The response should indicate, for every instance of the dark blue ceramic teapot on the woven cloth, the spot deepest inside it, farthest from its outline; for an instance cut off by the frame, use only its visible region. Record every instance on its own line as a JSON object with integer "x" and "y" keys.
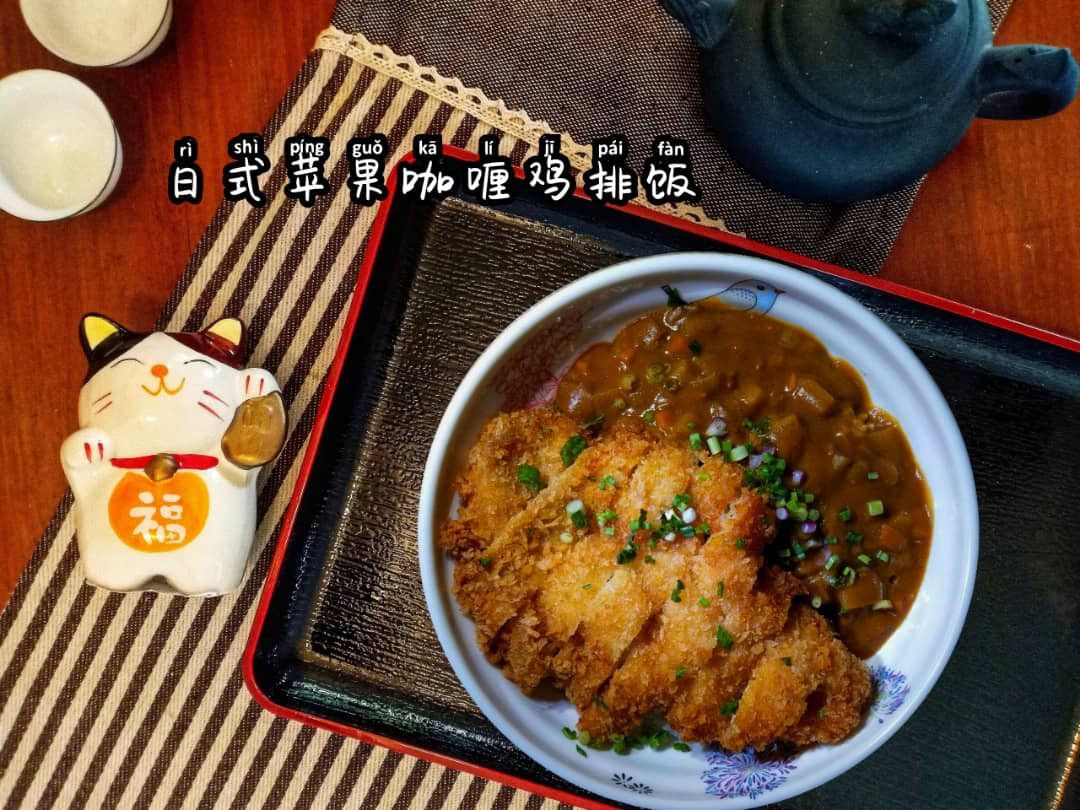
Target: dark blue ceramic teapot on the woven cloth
{"x": 845, "y": 100}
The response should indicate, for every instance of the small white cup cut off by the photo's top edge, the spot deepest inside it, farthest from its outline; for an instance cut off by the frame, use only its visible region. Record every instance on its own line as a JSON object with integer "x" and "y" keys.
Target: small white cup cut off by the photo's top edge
{"x": 100, "y": 33}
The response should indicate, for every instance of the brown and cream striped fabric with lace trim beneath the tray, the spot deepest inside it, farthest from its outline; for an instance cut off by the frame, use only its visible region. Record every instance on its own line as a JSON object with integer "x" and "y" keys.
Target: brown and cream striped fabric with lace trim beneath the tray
{"x": 137, "y": 700}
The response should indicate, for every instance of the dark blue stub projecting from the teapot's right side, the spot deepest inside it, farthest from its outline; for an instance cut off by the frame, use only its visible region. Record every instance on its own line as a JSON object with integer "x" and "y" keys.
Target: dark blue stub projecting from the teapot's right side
{"x": 1025, "y": 82}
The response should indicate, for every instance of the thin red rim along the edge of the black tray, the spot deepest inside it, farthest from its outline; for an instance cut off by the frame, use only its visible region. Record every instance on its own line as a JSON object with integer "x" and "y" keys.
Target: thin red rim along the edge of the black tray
{"x": 332, "y": 381}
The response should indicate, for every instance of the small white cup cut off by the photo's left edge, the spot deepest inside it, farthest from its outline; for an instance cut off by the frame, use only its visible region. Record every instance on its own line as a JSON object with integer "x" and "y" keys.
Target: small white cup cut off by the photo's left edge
{"x": 60, "y": 152}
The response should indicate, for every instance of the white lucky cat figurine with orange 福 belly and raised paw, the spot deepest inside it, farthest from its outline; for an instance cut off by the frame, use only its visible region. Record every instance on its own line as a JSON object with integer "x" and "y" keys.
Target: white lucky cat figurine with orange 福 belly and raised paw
{"x": 164, "y": 468}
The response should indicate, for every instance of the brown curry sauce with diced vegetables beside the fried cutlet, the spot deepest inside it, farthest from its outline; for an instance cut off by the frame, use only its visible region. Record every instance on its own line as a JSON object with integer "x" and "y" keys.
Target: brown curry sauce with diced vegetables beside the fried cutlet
{"x": 853, "y": 514}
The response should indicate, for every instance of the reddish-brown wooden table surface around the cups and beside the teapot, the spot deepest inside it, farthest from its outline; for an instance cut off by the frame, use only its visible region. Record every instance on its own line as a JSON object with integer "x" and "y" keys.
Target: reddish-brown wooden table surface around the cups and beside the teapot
{"x": 993, "y": 227}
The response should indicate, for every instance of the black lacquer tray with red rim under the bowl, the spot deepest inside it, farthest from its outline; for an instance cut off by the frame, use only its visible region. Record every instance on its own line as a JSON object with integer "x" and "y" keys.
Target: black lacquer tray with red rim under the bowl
{"x": 343, "y": 638}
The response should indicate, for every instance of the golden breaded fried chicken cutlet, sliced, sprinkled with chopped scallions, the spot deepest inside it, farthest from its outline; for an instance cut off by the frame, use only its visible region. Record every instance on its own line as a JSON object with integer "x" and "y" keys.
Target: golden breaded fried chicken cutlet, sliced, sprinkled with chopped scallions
{"x": 654, "y": 598}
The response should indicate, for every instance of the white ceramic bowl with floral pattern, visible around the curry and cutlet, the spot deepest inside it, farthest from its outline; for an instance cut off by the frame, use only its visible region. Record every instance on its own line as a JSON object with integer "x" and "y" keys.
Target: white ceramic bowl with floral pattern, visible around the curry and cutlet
{"x": 906, "y": 669}
